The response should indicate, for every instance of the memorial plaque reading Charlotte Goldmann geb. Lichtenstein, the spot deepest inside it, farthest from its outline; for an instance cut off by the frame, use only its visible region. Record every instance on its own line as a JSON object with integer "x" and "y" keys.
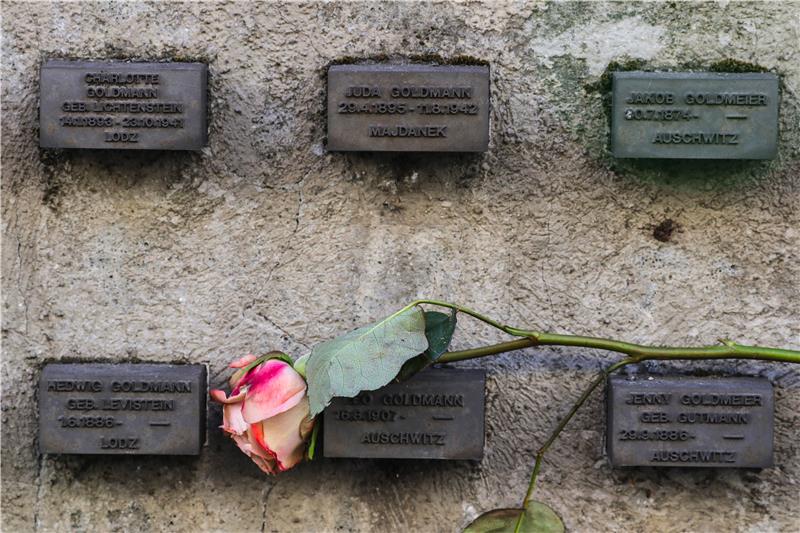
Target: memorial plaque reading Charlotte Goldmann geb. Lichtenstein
{"x": 117, "y": 104}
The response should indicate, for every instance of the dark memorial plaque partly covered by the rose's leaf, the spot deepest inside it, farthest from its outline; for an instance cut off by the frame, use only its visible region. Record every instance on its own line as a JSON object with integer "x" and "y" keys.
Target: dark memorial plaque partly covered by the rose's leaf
{"x": 437, "y": 414}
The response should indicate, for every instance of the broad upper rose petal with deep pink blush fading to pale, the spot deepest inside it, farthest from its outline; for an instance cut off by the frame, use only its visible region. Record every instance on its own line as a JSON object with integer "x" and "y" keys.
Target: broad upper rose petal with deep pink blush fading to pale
{"x": 272, "y": 388}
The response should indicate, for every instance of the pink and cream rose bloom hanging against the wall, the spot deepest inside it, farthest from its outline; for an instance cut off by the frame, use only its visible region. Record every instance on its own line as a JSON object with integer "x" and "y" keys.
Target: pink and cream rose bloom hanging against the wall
{"x": 267, "y": 413}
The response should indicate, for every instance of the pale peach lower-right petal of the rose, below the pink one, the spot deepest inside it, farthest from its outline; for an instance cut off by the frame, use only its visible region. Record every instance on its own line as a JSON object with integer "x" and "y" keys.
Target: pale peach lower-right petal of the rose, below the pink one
{"x": 282, "y": 435}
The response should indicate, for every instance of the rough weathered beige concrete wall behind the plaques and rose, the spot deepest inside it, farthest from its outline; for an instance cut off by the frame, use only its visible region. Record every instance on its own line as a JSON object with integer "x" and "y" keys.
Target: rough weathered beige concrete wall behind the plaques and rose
{"x": 265, "y": 241}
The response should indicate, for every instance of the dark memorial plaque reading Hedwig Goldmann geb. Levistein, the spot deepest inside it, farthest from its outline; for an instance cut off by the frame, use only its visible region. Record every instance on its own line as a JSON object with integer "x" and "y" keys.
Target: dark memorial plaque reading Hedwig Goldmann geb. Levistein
{"x": 122, "y": 409}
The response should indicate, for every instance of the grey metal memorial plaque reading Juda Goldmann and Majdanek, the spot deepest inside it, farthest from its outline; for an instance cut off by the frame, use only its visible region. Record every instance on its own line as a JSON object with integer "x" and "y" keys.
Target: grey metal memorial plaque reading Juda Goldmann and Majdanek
{"x": 408, "y": 108}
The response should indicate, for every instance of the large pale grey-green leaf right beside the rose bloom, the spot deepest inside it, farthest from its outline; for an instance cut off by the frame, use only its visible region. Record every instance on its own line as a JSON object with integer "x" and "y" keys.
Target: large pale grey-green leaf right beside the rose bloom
{"x": 364, "y": 359}
